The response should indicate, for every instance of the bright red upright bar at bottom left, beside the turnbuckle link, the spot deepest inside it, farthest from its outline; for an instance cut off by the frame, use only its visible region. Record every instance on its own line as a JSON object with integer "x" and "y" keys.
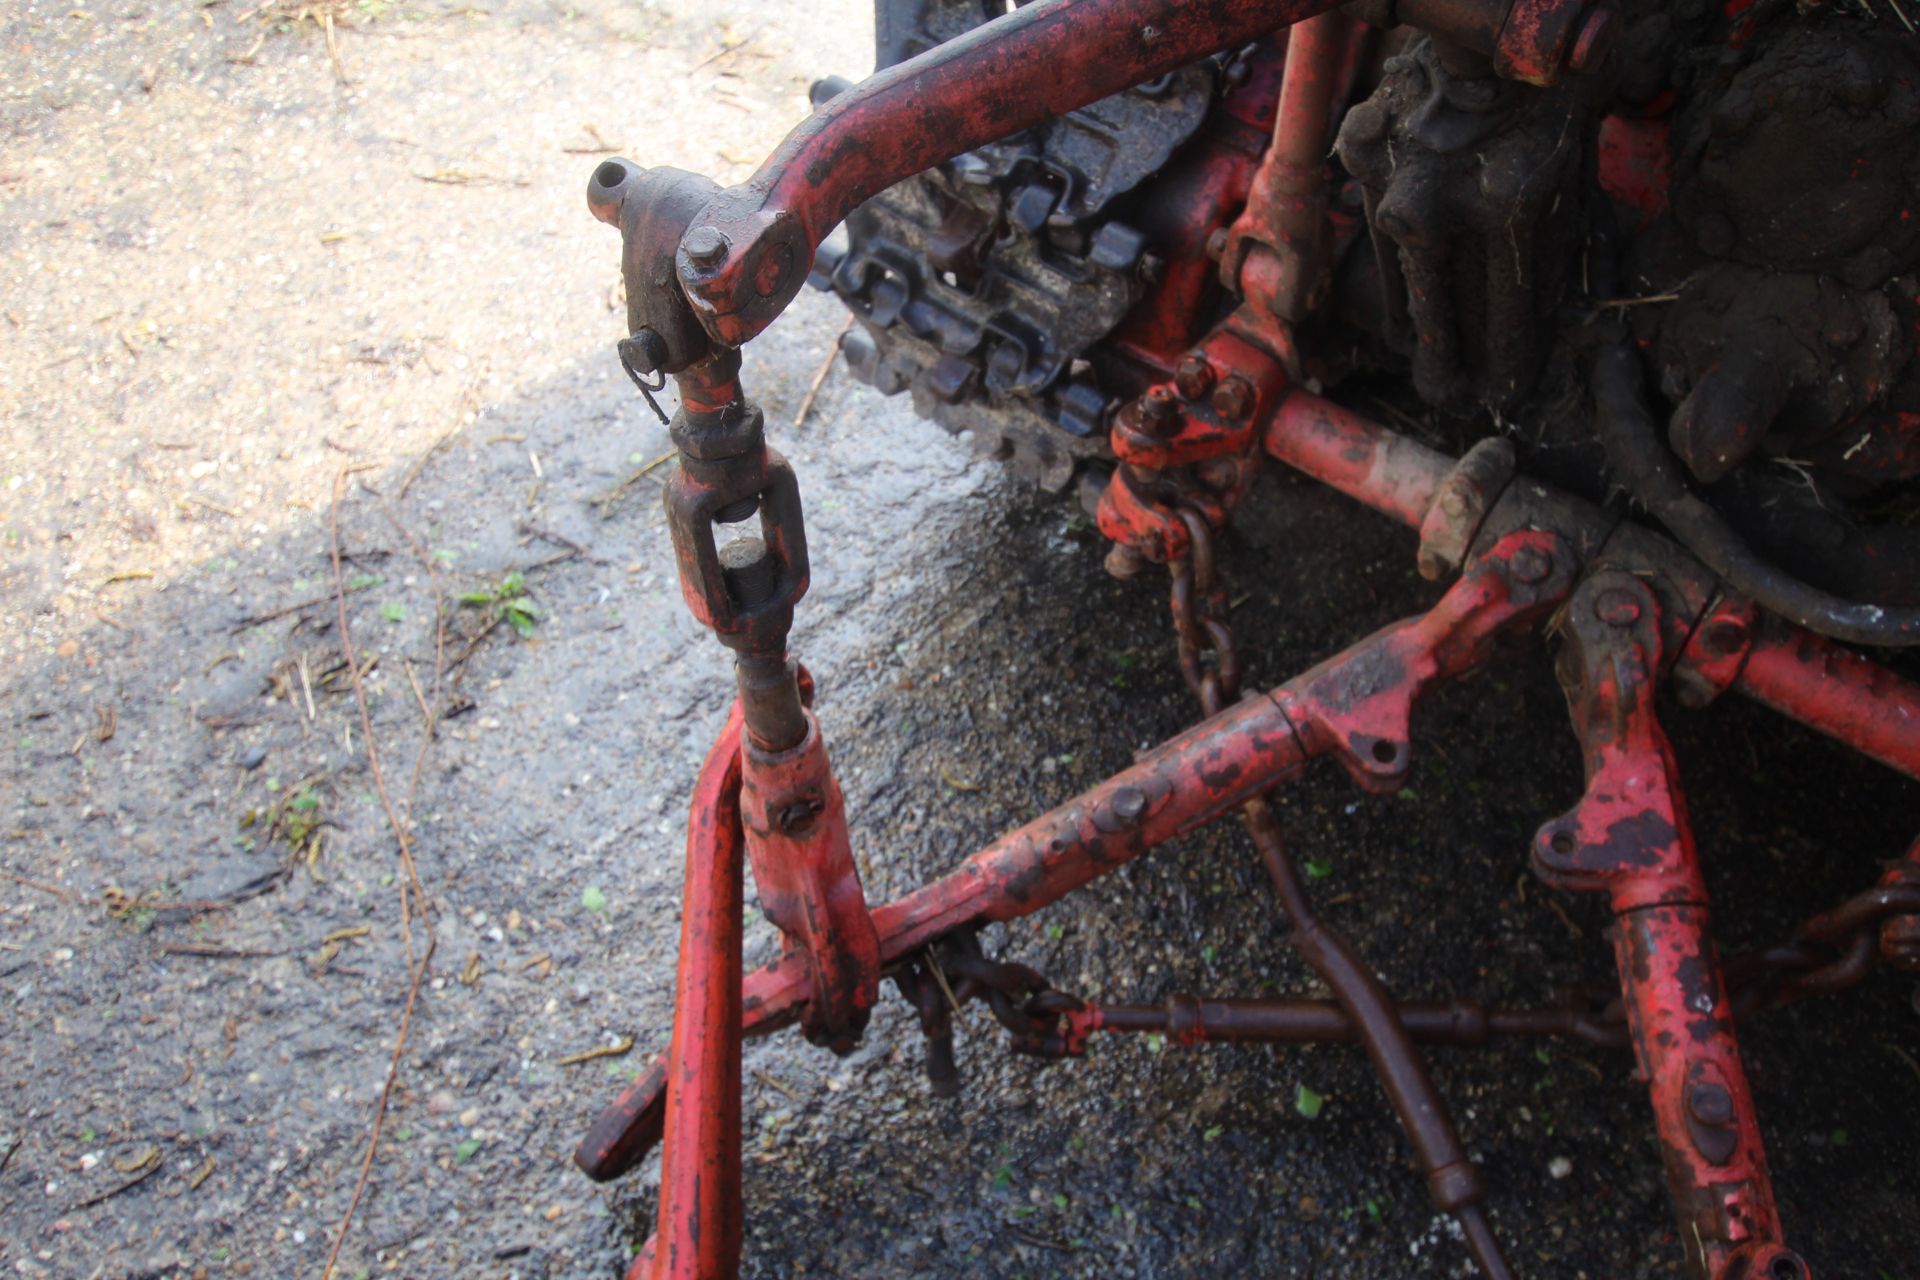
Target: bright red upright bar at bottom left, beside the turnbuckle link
{"x": 700, "y": 1227}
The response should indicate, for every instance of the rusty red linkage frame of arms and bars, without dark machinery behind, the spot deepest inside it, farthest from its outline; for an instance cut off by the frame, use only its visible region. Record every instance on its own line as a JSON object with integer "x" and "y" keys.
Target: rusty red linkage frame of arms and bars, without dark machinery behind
{"x": 711, "y": 268}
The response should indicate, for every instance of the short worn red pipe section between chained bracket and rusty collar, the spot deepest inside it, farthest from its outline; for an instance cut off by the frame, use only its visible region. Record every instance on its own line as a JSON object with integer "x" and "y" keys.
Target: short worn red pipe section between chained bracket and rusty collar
{"x": 1364, "y": 460}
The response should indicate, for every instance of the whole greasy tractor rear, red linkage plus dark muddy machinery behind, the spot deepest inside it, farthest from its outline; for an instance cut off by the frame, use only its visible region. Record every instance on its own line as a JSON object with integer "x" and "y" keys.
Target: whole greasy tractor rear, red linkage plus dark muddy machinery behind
{"x": 1654, "y": 258}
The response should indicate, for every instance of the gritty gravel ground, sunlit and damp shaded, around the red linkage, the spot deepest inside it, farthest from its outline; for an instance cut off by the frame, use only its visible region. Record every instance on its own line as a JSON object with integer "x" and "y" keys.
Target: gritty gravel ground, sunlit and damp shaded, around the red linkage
{"x": 237, "y": 268}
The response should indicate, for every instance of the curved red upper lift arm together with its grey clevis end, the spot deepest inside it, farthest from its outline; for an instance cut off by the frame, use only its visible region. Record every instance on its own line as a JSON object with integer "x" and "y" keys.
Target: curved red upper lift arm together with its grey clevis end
{"x": 742, "y": 254}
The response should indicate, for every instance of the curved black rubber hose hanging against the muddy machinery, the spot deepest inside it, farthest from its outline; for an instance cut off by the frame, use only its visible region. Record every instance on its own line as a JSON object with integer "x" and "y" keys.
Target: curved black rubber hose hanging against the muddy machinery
{"x": 1643, "y": 463}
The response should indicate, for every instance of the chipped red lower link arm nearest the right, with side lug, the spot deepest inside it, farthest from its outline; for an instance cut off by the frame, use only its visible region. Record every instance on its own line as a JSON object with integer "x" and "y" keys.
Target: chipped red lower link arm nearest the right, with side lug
{"x": 1629, "y": 836}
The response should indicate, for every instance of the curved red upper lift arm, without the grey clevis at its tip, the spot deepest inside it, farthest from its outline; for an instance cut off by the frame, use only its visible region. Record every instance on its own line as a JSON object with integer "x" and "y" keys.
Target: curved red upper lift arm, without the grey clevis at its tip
{"x": 1017, "y": 72}
